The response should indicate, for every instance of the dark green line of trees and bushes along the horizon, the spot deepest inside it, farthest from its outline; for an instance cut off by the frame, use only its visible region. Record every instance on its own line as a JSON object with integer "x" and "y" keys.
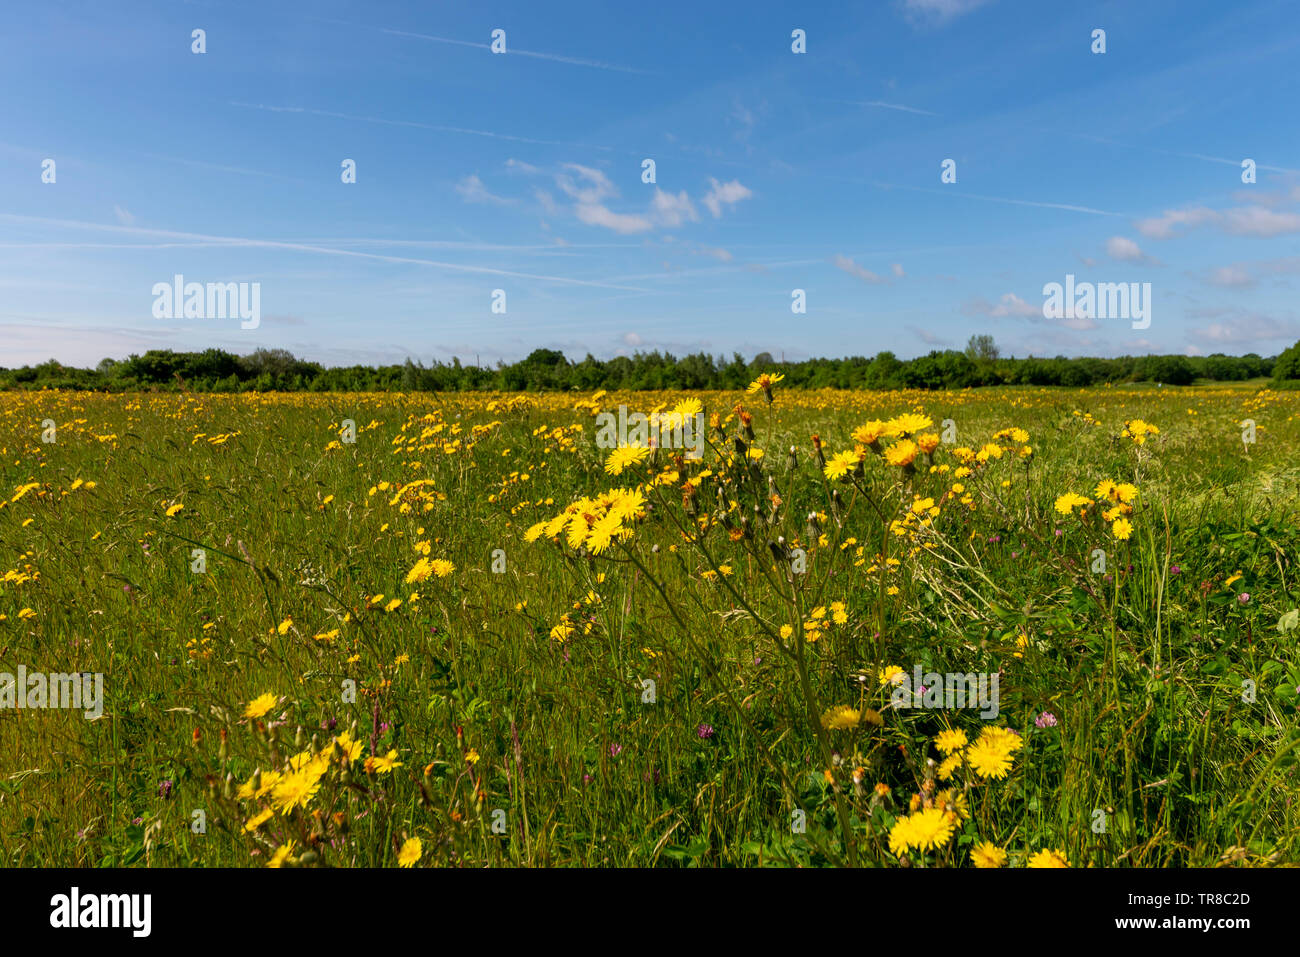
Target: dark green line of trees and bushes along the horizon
{"x": 545, "y": 370}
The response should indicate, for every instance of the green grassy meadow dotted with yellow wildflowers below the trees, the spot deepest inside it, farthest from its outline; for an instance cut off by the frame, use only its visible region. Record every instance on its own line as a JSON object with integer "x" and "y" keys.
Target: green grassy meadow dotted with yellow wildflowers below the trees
{"x": 430, "y": 630}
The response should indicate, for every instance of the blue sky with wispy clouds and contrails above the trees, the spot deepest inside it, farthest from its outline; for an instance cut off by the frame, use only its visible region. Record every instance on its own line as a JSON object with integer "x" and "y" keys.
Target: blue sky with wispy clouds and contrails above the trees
{"x": 775, "y": 171}
